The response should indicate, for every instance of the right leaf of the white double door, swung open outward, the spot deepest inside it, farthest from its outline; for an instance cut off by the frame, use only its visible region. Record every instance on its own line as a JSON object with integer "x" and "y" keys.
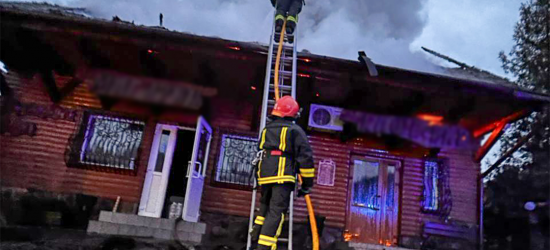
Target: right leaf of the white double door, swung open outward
{"x": 196, "y": 171}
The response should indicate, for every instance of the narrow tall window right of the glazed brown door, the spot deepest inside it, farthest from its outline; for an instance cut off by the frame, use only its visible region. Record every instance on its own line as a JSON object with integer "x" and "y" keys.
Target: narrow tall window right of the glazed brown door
{"x": 431, "y": 185}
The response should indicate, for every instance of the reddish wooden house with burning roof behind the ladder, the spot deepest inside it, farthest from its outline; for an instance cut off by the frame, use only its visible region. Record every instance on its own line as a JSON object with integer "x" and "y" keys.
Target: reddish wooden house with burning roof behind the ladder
{"x": 109, "y": 110}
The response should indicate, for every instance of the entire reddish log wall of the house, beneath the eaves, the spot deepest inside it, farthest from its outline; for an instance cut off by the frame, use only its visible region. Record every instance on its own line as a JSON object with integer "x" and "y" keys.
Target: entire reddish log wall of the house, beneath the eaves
{"x": 38, "y": 162}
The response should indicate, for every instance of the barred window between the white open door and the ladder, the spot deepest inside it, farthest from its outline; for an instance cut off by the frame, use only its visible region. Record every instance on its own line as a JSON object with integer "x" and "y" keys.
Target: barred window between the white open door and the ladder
{"x": 234, "y": 162}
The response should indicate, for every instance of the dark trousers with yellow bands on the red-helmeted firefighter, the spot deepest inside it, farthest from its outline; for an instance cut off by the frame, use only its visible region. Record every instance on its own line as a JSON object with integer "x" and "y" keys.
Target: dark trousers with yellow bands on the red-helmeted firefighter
{"x": 273, "y": 207}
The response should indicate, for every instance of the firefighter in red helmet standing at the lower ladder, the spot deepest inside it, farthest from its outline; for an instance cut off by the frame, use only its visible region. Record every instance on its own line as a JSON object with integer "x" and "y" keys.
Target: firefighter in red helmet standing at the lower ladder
{"x": 285, "y": 147}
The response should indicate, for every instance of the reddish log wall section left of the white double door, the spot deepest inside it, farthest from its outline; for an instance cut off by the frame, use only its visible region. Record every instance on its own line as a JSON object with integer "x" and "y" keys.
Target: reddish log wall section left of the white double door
{"x": 39, "y": 161}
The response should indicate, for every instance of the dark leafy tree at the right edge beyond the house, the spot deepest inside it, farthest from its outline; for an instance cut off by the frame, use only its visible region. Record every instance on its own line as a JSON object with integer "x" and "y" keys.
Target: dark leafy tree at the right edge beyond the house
{"x": 526, "y": 177}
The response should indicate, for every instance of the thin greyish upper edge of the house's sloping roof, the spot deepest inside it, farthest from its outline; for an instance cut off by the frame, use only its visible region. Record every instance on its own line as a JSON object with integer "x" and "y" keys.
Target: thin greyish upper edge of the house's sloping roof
{"x": 468, "y": 76}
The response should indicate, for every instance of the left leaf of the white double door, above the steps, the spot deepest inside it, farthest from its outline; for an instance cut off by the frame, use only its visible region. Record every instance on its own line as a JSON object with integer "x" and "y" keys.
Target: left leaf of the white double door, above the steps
{"x": 158, "y": 171}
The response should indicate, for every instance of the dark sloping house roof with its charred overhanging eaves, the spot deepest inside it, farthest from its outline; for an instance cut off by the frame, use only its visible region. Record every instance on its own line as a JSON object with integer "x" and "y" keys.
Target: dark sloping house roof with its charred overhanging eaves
{"x": 75, "y": 38}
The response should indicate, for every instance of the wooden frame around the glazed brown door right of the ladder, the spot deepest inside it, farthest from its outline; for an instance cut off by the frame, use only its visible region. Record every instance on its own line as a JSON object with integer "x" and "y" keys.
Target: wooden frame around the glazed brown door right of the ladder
{"x": 399, "y": 176}
